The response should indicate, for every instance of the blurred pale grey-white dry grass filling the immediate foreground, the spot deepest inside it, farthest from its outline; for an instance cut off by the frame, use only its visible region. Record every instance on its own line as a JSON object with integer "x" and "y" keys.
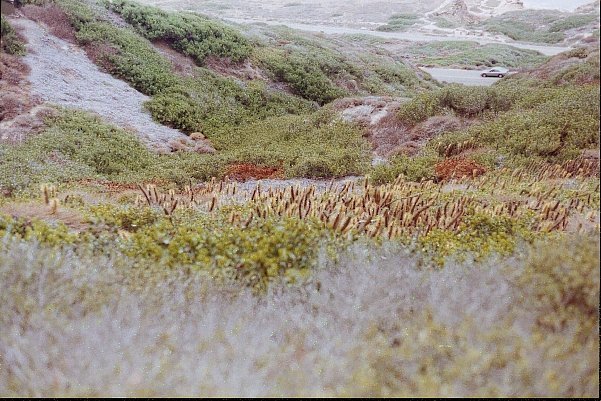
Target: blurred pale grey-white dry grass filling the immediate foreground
{"x": 75, "y": 324}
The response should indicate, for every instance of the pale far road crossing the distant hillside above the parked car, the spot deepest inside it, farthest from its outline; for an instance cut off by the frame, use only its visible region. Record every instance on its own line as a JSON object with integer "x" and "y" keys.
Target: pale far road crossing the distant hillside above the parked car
{"x": 409, "y": 36}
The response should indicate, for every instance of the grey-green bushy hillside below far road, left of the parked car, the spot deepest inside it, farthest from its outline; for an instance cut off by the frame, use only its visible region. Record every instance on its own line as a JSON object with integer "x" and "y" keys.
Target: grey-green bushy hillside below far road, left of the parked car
{"x": 322, "y": 70}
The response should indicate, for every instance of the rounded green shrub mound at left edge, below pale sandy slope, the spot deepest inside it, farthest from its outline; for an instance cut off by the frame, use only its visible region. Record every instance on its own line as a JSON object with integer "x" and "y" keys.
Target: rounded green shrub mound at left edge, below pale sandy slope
{"x": 75, "y": 146}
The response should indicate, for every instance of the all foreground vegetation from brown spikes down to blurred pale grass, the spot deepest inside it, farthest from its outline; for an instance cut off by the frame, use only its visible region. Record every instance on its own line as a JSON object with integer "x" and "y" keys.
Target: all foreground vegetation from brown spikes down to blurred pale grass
{"x": 418, "y": 283}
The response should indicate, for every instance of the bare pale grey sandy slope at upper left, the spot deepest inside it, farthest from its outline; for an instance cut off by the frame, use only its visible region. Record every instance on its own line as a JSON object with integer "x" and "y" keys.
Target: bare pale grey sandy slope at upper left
{"x": 62, "y": 74}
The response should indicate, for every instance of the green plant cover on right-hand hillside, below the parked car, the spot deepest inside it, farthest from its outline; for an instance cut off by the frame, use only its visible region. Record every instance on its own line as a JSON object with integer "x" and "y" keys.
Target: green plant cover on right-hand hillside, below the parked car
{"x": 550, "y": 114}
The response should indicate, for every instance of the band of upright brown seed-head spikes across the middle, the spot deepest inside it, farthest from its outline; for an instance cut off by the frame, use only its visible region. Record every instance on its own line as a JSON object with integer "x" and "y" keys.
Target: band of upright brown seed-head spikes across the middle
{"x": 407, "y": 208}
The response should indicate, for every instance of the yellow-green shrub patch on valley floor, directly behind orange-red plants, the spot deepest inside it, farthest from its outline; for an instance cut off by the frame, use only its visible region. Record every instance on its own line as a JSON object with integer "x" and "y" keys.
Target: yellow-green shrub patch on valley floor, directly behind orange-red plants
{"x": 305, "y": 146}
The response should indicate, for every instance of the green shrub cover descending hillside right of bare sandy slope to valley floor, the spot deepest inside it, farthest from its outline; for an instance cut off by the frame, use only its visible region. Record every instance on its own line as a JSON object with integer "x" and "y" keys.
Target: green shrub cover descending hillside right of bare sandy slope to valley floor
{"x": 244, "y": 119}
